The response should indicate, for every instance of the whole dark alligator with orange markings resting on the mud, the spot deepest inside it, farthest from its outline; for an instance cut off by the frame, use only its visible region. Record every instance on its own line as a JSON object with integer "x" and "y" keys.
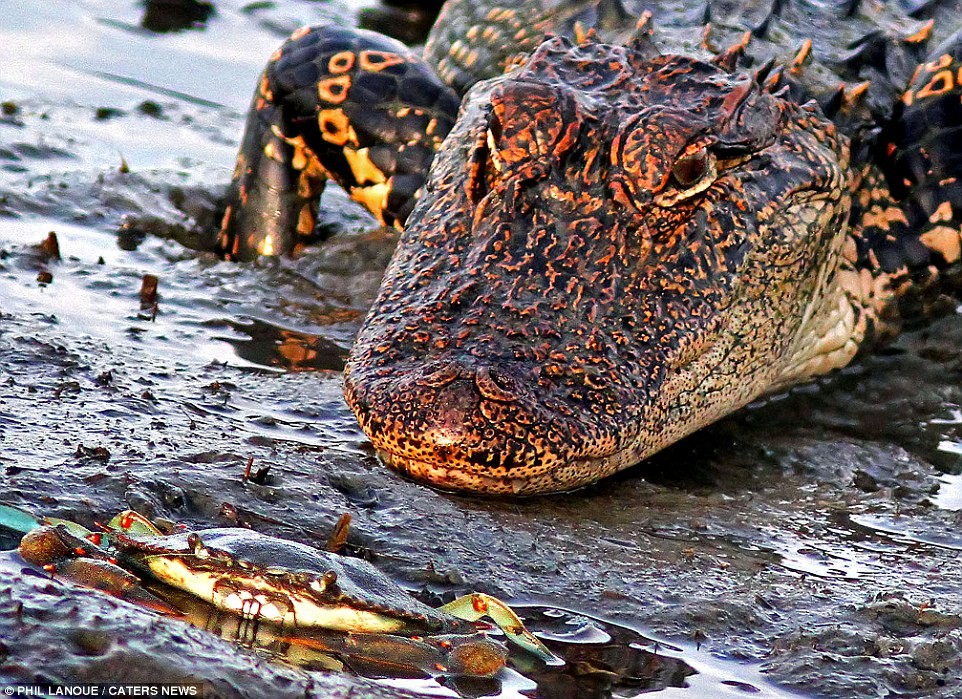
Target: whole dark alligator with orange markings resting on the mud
{"x": 622, "y": 219}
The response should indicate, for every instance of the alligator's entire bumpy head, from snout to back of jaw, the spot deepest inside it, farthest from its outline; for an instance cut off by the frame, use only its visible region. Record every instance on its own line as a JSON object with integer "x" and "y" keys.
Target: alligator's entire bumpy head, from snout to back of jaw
{"x": 613, "y": 250}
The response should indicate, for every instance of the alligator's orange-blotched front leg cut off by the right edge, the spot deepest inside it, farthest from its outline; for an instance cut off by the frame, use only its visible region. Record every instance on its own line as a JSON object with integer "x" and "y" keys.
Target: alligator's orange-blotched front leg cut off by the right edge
{"x": 907, "y": 238}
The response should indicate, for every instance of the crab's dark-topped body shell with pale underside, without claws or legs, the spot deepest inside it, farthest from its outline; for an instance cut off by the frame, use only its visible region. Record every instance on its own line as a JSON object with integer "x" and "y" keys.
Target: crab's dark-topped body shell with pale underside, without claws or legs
{"x": 284, "y": 582}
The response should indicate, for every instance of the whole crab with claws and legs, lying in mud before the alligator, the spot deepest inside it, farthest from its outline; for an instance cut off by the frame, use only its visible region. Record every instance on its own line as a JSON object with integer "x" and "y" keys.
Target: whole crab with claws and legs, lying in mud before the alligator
{"x": 291, "y": 586}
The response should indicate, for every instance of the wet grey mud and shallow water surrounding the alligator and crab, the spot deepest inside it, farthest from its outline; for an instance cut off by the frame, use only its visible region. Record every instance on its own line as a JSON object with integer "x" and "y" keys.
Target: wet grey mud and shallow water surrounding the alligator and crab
{"x": 808, "y": 545}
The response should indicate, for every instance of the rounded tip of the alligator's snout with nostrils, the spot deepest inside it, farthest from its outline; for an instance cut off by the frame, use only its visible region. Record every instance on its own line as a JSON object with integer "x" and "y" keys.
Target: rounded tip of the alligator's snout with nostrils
{"x": 469, "y": 427}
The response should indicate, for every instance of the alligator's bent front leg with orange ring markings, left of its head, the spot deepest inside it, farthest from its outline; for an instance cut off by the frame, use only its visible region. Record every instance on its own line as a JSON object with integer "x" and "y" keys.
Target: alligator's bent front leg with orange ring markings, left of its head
{"x": 347, "y": 105}
